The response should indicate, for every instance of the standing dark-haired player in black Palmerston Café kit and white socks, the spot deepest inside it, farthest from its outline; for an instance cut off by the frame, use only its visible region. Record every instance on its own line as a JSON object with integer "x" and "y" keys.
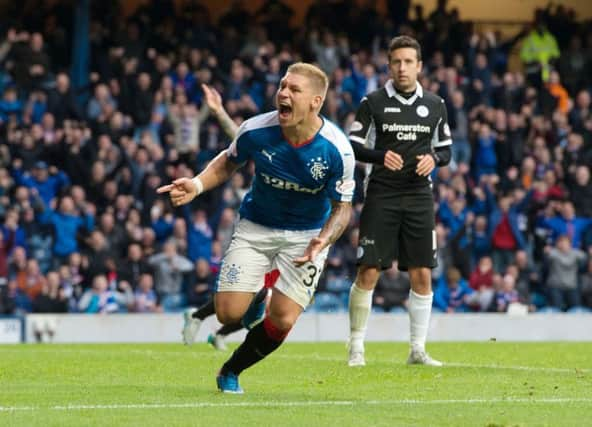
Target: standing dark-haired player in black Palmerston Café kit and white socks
{"x": 403, "y": 131}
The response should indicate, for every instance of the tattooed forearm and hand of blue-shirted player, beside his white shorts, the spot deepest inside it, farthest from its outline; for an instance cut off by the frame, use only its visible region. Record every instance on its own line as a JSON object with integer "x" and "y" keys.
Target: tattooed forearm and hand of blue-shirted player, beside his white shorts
{"x": 331, "y": 231}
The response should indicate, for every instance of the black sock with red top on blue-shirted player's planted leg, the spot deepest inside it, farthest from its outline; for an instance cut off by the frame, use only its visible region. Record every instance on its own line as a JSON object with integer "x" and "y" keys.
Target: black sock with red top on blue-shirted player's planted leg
{"x": 262, "y": 340}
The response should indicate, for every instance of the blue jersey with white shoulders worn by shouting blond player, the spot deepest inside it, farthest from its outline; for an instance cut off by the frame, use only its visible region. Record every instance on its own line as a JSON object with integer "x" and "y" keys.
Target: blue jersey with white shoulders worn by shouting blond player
{"x": 293, "y": 185}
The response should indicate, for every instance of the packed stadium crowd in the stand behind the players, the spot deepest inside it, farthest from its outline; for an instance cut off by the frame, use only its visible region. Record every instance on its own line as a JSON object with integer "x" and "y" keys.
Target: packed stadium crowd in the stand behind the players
{"x": 83, "y": 229}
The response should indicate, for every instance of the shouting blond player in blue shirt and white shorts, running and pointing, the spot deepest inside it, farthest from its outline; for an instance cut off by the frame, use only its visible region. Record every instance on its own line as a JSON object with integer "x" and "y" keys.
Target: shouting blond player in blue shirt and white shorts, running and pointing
{"x": 299, "y": 204}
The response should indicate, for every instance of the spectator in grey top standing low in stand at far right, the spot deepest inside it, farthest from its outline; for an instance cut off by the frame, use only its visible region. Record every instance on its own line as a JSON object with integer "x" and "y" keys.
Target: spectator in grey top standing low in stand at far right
{"x": 562, "y": 280}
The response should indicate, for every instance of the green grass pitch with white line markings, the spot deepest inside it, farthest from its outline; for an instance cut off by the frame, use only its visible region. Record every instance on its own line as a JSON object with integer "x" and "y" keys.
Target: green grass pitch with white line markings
{"x": 484, "y": 384}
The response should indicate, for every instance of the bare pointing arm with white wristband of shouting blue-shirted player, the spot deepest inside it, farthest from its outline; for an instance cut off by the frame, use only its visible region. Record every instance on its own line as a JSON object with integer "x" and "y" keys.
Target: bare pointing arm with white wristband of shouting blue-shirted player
{"x": 184, "y": 190}
